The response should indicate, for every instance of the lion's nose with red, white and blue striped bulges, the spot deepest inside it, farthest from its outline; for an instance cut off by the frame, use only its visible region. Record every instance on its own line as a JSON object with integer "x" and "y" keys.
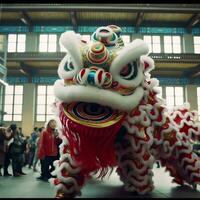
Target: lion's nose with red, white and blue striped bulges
{"x": 94, "y": 76}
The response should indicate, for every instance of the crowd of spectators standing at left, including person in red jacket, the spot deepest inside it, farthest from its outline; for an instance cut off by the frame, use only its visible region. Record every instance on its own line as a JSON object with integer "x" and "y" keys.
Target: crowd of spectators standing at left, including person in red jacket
{"x": 36, "y": 151}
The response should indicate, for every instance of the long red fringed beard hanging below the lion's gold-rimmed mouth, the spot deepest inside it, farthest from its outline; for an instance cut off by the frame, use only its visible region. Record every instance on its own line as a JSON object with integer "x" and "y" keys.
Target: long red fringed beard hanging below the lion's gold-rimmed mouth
{"x": 94, "y": 146}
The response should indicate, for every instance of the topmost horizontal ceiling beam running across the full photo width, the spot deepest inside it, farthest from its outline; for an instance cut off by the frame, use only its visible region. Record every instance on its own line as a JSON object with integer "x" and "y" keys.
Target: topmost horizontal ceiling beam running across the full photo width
{"x": 159, "y": 8}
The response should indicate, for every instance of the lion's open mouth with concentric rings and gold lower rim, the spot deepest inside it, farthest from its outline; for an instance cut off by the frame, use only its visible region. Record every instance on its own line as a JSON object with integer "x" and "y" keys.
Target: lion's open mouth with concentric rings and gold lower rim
{"x": 92, "y": 114}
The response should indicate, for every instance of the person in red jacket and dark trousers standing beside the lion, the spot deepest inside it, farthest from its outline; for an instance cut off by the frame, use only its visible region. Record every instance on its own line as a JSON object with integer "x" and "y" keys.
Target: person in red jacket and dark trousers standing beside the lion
{"x": 48, "y": 149}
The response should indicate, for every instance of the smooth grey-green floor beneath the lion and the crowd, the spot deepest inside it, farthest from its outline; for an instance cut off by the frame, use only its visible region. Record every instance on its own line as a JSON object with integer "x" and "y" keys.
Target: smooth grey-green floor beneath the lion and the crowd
{"x": 28, "y": 187}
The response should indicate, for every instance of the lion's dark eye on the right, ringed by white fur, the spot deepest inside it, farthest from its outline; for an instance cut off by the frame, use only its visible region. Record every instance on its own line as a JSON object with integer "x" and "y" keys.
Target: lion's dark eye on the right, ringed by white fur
{"x": 129, "y": 72}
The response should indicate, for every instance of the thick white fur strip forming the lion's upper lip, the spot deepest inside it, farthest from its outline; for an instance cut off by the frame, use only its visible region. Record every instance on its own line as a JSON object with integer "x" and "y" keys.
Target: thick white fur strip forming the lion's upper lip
{"x": 79, "y": 93}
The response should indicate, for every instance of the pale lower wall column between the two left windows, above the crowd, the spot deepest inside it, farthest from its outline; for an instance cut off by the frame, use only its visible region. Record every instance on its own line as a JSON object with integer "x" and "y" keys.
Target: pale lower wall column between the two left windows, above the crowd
{"x": 28, "y": 109}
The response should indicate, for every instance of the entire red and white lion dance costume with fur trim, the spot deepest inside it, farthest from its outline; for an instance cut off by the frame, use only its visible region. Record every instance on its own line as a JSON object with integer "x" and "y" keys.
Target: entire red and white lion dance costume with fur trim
{"x": 111, "y": 117}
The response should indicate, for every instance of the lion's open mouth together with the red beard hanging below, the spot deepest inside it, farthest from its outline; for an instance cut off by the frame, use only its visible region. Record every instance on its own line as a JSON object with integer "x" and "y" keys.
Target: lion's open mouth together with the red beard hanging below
{"x": 91, "y": 131}
